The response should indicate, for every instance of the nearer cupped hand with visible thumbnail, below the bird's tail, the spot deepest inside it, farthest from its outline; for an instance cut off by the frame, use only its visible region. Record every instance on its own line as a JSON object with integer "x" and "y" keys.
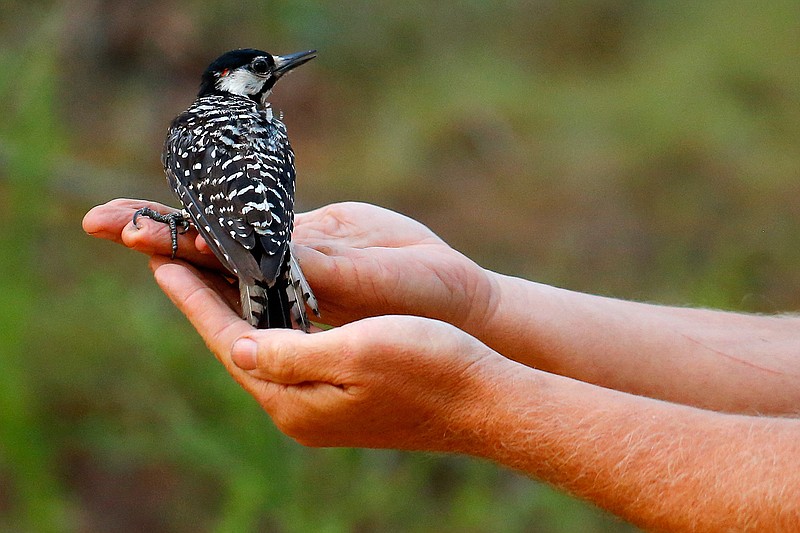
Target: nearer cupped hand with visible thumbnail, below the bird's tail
{"x": 388, "y": 382}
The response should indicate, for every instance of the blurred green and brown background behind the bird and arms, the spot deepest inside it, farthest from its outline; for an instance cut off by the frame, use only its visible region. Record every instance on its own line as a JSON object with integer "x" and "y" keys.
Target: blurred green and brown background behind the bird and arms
{"x": 640, "y": 149}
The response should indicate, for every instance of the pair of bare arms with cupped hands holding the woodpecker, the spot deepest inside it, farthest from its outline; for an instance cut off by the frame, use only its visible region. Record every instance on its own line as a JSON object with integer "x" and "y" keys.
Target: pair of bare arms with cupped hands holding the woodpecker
{"x": 648, "y": 411}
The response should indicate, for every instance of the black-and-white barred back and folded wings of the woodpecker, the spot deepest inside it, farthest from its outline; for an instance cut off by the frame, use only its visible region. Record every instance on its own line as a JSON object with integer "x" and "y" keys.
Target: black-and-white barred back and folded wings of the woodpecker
{"x": 231, "y": 164}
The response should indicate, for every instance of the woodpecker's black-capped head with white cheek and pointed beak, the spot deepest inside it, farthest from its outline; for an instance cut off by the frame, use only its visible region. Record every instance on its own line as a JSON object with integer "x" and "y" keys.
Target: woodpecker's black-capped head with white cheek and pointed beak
{"x": 249, "y": 72}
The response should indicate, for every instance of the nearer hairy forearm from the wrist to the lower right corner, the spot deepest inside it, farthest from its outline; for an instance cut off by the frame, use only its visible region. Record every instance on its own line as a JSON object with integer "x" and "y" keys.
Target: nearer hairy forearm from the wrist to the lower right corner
{"x": 659, "y": 465}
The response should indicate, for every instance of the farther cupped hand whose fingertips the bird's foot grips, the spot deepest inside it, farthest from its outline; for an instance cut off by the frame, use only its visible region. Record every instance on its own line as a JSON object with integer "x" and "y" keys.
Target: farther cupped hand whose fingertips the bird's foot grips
{"x": 360, "y": 260}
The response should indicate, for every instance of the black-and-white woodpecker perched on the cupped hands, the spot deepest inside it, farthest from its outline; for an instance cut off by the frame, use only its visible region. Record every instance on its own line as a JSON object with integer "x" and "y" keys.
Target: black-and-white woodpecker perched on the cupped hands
{"x": 228, "y": 160}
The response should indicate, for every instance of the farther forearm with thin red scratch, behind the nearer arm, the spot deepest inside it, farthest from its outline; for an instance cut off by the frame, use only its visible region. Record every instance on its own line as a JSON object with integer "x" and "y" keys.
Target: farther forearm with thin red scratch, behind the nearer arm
{"x": 711, "y": 359}
